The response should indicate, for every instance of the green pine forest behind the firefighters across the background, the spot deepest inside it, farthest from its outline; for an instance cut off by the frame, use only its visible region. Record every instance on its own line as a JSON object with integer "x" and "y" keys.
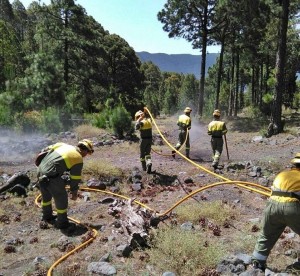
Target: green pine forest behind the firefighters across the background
{"x": 57, "y": 64}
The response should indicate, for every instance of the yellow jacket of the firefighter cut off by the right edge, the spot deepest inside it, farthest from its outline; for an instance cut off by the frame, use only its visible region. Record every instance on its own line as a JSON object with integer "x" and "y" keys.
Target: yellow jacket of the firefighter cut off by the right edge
{"x": 287, "y": 181}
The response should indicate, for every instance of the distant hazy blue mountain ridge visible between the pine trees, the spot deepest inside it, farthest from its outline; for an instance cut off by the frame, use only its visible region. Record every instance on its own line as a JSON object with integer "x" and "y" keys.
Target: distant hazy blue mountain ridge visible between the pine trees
{"x": 179, "y": 63}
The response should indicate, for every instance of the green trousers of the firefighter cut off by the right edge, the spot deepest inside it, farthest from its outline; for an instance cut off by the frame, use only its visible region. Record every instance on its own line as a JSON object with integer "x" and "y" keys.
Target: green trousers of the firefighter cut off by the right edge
{"x": 277, "y": 216}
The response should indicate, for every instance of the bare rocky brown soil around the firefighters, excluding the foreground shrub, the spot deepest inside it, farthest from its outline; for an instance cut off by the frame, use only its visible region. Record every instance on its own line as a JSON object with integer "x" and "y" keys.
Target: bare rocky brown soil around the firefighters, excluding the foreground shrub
{"x": 29, "y": 248}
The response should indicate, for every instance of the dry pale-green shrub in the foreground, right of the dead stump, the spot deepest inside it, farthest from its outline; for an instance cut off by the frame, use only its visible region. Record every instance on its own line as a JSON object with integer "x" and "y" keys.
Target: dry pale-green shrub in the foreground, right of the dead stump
{"x": 184, "y": 252}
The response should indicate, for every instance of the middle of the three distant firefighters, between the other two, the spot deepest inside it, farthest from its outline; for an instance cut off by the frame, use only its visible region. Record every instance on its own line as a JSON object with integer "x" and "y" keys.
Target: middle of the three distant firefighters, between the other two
{"x": 185, "y": 123}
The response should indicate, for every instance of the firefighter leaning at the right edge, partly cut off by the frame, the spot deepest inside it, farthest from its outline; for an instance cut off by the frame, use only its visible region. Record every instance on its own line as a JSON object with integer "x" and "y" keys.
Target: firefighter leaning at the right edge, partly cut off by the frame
{"x": 282, "y": 210}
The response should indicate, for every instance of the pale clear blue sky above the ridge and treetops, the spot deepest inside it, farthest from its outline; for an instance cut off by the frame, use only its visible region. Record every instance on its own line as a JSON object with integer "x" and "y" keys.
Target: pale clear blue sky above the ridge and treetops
{"x": 136, "y": 22}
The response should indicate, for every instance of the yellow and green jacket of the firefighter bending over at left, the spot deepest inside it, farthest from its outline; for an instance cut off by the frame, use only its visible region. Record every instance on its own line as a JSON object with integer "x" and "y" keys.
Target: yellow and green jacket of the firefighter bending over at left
{"x": 63, "y": 158}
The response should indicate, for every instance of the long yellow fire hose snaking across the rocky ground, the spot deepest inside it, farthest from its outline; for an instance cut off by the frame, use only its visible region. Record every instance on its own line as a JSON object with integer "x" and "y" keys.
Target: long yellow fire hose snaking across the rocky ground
{"x": 263, "y": 191}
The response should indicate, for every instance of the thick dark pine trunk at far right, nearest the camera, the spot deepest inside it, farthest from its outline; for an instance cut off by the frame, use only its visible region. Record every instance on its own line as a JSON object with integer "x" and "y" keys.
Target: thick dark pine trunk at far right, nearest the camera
{"x": 280, "y": 66}
